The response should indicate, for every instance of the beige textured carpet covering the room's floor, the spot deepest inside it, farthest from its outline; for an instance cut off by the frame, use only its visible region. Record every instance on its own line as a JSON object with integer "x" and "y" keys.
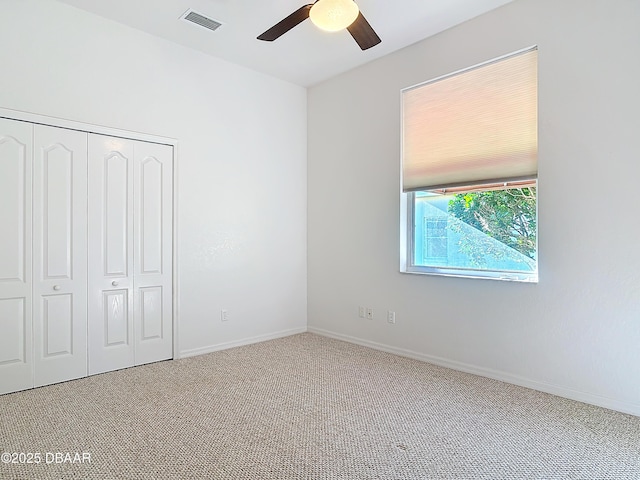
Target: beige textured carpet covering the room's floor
{"x": 309, "y": 407}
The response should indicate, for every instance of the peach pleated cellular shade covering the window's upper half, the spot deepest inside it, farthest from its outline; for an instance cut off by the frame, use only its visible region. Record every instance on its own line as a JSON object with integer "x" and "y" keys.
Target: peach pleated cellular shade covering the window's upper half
{"x": 477, "y": 126}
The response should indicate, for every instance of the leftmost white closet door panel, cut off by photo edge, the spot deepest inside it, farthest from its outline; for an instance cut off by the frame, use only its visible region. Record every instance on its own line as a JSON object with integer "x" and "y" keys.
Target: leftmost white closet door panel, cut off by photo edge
{"x": 16, "y": 369}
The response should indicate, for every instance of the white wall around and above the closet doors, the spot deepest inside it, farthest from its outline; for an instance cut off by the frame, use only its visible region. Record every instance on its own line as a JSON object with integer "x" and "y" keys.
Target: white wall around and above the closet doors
{"x": 241, "y": 164}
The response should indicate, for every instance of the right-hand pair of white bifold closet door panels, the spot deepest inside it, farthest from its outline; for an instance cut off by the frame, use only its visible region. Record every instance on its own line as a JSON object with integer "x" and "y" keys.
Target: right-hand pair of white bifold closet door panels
{"x": 130, "y": 259}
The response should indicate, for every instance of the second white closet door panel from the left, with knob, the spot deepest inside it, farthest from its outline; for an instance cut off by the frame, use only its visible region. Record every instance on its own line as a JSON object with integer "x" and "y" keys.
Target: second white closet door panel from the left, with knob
{"x": 59, "y": 254}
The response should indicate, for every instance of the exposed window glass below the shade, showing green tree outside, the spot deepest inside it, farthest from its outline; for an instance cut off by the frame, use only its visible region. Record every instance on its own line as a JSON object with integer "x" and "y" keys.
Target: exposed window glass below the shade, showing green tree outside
{"x": 493, "y": 231}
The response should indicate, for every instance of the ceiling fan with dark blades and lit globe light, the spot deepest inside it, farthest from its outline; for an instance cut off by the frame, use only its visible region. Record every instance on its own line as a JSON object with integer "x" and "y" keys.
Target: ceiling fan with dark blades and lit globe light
{"x": 331, "y": 16}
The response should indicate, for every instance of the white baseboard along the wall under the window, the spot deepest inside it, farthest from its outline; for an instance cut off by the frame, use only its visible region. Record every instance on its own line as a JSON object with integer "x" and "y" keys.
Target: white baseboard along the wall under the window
{"x": 597, "y": 400}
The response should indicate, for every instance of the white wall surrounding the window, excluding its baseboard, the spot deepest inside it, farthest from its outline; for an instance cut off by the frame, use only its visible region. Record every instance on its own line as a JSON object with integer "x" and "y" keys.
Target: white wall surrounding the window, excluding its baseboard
{"x": 577, "y": 332}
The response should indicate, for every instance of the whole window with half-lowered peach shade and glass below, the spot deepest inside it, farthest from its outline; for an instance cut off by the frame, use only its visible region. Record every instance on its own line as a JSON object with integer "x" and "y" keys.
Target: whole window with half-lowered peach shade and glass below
{"x": 469, "y": 171}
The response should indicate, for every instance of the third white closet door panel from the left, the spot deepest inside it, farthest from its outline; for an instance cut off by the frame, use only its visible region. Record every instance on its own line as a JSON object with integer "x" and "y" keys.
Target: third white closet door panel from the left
{"x": 111, "y": 247}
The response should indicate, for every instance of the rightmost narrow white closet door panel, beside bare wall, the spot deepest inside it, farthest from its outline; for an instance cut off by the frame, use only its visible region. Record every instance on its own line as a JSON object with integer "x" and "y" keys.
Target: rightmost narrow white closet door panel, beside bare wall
{"x": 153, "y": 246}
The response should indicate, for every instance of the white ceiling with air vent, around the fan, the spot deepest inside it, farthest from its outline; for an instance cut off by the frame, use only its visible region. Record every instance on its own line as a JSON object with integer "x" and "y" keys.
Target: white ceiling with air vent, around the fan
{"x": 305, "y": 55}
